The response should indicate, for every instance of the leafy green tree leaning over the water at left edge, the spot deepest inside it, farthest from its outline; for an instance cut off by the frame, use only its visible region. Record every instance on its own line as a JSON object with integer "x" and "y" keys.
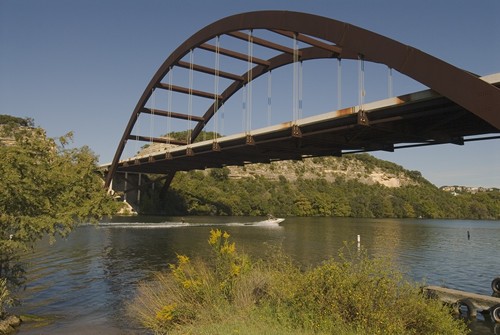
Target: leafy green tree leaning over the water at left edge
{"x": 45, "y": 189}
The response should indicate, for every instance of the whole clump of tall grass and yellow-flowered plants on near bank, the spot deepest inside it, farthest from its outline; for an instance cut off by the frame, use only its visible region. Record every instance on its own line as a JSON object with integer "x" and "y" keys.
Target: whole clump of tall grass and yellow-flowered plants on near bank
{"x": 232, "y": 294}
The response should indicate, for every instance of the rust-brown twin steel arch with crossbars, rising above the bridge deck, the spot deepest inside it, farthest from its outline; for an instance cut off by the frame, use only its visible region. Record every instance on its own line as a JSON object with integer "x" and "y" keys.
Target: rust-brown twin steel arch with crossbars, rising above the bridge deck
{"x": 327, "y": 38}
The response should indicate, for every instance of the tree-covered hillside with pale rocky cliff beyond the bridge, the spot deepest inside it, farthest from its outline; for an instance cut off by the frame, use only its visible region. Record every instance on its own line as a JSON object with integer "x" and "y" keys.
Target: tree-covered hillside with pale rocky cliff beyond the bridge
{"x": 353, "y": 186}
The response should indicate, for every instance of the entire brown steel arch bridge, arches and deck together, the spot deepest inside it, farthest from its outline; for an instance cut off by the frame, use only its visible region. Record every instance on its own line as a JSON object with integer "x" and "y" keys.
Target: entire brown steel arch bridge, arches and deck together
{"x": 458, "y": 103}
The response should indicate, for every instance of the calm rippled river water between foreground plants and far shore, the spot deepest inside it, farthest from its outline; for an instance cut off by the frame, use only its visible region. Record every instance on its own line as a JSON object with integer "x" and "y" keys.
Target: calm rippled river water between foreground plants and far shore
{"x": 83, "y": 282}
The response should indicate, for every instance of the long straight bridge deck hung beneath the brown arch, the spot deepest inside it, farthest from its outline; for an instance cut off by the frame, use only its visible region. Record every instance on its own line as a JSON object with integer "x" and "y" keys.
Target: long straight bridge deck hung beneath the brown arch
{"x": 421, "y": 118}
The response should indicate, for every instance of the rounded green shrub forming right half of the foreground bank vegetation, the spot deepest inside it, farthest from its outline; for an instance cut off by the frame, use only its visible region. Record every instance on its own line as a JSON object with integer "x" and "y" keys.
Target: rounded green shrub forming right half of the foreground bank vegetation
{"x": 366, "y": 296}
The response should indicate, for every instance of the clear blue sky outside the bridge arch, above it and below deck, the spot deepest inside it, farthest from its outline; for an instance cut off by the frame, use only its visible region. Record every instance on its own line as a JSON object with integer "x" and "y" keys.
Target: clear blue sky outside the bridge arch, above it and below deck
{"x": 81, "y": 66}
